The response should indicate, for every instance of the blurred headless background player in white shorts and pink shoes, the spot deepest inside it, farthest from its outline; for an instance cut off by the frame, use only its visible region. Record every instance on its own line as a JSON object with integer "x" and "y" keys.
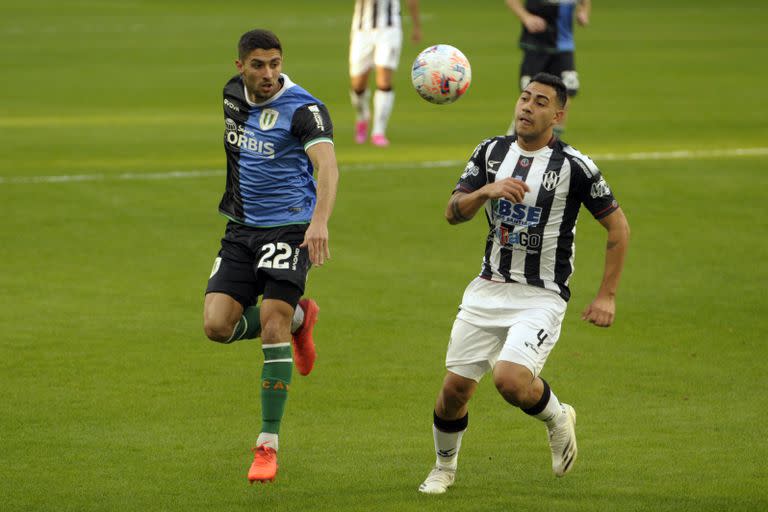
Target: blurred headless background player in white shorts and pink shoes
{"x": 376, "y": 40}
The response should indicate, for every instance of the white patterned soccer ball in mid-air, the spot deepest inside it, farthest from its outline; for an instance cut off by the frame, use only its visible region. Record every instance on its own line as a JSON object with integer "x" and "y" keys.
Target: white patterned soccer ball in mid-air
{"x": 441, "y": 74}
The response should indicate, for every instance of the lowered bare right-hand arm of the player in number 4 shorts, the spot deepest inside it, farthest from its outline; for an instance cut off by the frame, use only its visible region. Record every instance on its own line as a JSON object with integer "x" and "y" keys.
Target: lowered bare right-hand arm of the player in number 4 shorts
{"x": 602, "y": 310}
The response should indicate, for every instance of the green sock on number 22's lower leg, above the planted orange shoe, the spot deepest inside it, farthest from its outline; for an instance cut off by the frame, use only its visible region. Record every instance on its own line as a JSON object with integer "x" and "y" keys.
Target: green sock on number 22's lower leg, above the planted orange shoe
{"x": 275, "y": 381}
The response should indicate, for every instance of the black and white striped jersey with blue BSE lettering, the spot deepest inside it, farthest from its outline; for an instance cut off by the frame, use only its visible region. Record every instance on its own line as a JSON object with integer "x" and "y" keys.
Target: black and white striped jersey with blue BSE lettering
{"x": 533, "y": 242}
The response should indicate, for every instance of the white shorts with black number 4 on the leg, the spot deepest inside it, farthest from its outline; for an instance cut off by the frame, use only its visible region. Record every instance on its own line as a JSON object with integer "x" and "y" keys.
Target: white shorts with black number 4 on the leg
{"x": 503, "y": 321}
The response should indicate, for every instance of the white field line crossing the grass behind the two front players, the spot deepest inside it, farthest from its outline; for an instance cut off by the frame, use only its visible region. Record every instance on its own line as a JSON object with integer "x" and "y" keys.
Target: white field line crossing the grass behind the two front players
{"x": 437, "y": 164}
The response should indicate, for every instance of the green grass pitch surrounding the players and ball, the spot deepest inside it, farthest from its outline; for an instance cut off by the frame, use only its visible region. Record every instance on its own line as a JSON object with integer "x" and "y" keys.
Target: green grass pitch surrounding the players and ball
{"x": 112, "y": 399}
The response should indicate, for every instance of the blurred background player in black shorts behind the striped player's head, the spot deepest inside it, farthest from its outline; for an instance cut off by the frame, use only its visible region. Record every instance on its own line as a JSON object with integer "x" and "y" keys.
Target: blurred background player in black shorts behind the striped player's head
{"x": 547, "y": 42}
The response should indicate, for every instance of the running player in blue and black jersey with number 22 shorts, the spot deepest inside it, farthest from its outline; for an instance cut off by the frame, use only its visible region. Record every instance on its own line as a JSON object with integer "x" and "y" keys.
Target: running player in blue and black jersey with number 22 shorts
{"x": 276, "y": 136}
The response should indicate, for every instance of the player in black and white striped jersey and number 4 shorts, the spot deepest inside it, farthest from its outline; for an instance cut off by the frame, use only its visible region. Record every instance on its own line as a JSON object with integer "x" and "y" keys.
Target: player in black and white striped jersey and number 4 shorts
{"x": 531, "y": 187}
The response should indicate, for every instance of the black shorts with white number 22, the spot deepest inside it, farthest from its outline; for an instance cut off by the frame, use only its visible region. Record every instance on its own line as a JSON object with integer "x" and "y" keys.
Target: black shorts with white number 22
{"x": 261, "y": 261}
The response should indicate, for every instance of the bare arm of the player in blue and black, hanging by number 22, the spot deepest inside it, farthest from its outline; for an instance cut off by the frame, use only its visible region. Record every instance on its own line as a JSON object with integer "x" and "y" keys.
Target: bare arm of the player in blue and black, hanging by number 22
{"x": 323, "y": 159}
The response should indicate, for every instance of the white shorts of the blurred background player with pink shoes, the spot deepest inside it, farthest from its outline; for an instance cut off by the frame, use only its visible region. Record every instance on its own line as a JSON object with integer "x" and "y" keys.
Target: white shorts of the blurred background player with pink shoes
{"x": 378, "y": 47}
